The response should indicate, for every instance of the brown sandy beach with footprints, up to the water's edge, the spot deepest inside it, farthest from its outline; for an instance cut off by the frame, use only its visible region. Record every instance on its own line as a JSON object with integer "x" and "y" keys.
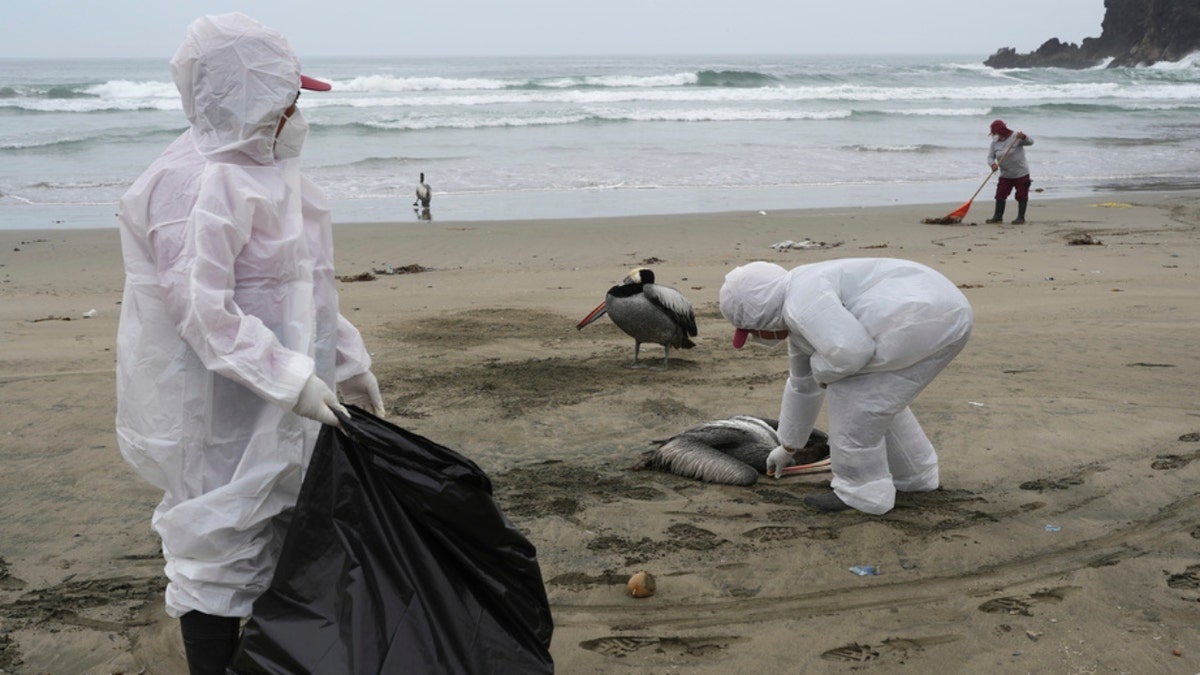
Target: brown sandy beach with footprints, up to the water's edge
{"x": 1075, "y": 407}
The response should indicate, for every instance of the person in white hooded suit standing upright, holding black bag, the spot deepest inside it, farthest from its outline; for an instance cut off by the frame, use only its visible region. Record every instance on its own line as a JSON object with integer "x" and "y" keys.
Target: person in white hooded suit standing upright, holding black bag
{"x": 231, "y": 342}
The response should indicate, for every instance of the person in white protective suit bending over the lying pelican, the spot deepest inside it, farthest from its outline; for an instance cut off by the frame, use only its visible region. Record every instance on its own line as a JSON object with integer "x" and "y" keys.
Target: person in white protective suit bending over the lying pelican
{"x": 868, "y": 334}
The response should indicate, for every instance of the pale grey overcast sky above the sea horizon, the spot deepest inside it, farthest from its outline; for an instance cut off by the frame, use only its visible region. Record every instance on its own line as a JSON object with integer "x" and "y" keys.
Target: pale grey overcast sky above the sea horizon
{"x": 375, "y": 28}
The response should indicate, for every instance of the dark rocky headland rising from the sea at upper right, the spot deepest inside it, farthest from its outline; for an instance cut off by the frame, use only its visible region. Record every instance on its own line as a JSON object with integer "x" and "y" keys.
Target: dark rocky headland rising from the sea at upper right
{"x": 1135, "y": 33}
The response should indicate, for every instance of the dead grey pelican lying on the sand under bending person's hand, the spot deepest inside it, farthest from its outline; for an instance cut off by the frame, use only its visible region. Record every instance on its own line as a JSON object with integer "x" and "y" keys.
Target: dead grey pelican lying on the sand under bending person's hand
{"x": 733, "y": 452}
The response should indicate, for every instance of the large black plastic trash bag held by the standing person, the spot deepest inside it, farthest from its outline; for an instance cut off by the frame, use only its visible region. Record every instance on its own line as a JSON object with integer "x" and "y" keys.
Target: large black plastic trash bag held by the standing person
{"x": 398, "y": 561}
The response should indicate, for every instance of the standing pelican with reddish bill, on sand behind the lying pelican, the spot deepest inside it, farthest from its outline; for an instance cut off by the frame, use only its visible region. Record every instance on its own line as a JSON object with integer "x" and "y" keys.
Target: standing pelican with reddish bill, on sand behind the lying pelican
{"x": 649, "y": 313}
